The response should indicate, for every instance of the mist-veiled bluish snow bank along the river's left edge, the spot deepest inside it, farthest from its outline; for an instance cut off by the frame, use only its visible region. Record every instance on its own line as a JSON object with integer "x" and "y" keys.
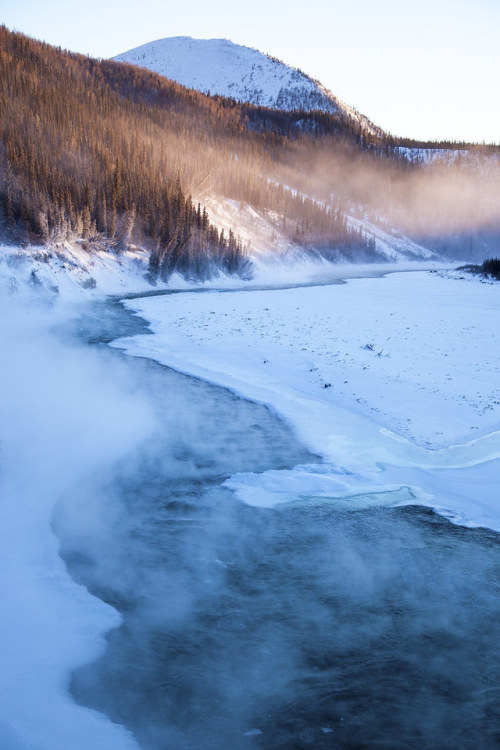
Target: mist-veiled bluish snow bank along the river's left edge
{"x": 64, "y": 414}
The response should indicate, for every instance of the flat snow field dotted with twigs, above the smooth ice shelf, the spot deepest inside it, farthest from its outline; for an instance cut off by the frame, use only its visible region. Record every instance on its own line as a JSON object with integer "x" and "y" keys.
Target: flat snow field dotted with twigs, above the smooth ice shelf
{"x": 415, "y": 352}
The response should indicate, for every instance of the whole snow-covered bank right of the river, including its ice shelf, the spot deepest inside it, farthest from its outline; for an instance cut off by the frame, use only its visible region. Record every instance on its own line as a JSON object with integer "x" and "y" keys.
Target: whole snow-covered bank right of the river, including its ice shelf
{"x": 397, "y": 373}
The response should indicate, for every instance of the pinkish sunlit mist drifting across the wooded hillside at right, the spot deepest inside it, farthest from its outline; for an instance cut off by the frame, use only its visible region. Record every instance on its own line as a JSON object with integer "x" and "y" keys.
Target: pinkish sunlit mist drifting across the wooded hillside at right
{"x": 446, "y": 199}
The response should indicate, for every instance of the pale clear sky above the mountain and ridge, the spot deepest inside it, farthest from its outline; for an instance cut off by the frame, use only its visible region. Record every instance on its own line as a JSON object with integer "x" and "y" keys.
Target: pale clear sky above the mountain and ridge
{"x": 427, "y": 69}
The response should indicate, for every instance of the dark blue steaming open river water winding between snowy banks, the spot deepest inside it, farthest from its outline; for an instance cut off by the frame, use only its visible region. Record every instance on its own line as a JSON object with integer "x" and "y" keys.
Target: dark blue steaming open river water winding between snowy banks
{"x": 302, "y": 626}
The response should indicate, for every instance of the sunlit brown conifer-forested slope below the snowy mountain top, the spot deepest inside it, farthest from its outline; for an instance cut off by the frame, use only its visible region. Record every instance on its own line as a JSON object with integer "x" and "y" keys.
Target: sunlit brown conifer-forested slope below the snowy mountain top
{"x": 113, "y": 154}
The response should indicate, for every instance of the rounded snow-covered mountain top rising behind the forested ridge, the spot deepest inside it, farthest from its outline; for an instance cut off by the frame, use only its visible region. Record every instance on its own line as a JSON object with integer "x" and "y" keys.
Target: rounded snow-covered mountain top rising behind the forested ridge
{"x": 218, "y": 66}
